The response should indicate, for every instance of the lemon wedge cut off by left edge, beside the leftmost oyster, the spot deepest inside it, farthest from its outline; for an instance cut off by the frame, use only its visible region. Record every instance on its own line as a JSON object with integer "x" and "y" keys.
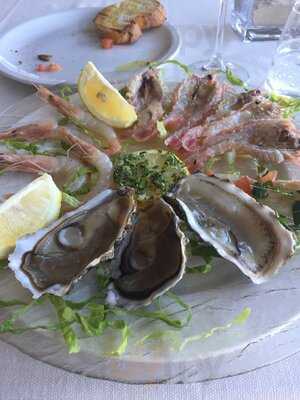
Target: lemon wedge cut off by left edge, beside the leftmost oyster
{"x": 27, "y": 211}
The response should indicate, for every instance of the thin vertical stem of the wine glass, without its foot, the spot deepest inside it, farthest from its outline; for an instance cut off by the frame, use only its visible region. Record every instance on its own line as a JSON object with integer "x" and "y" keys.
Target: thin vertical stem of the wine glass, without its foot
{"x": 216, "y": 61}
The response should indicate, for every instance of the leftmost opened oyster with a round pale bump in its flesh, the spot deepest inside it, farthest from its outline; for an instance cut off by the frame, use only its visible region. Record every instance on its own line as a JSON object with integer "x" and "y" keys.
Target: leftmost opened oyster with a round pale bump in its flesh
{"x": 50, "y": 260}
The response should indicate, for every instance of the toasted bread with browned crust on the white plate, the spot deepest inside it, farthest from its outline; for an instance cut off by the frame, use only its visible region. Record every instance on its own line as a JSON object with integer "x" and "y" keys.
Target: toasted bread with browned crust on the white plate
{"x": 124, "y": 22}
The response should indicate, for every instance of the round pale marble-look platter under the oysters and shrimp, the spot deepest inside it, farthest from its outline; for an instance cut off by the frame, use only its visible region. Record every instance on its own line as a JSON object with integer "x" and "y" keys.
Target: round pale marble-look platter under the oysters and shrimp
{"x": 270, "y": 334}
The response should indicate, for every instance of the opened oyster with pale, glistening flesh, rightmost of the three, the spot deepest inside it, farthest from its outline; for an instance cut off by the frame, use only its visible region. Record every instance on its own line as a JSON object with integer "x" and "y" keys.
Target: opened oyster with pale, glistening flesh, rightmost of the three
{"x": 237, "y": 226}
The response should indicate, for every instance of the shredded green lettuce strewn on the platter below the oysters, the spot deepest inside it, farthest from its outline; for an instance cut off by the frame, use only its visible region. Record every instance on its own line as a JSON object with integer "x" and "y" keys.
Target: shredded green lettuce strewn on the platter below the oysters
{"x": 93, "y": 317}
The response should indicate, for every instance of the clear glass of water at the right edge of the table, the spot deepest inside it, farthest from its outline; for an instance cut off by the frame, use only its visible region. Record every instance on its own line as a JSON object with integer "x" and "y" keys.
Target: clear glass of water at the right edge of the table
{"x": 284, "y": 75}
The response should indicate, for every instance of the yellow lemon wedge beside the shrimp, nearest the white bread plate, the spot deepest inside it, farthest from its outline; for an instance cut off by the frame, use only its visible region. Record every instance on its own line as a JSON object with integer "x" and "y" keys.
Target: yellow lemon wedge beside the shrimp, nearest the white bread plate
{"x": 103, "y": 100}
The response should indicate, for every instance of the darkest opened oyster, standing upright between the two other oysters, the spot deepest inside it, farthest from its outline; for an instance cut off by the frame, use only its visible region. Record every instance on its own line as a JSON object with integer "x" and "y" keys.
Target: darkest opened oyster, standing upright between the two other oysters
{"x": 151, "y": 258}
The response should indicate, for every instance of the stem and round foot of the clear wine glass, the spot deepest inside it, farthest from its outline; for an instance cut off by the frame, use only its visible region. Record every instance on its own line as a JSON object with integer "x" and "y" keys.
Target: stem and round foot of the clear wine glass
{"x": 216, "y": 62}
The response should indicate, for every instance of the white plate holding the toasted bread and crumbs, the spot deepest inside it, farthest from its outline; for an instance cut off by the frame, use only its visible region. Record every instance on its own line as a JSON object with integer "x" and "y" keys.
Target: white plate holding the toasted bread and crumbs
{"x": 70, "y": 37}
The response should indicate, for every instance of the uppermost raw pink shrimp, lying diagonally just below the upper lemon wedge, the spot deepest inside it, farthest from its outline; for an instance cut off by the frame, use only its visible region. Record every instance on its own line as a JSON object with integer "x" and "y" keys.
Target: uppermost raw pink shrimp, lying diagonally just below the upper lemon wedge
{"x": 96, "y": 129}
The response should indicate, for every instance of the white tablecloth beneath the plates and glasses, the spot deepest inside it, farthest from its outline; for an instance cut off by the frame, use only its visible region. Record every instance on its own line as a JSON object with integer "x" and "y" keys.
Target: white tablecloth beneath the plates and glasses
{"x": 22, "y": 378}
